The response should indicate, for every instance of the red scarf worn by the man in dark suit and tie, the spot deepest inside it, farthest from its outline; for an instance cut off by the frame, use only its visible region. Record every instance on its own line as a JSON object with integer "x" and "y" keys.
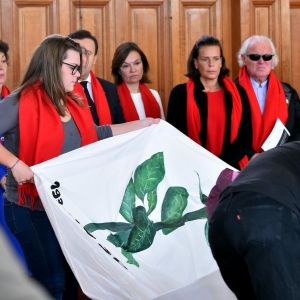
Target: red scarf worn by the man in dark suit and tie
{"x": 100, "y": 101}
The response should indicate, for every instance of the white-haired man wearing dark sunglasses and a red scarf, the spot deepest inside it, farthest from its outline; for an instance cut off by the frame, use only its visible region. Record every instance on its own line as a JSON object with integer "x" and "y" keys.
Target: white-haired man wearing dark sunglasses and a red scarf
{"x": 269, "y": 98}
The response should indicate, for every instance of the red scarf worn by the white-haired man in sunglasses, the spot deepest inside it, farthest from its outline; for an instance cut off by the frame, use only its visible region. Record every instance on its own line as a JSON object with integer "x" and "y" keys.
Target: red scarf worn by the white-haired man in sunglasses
{"x": 275, "y": 107}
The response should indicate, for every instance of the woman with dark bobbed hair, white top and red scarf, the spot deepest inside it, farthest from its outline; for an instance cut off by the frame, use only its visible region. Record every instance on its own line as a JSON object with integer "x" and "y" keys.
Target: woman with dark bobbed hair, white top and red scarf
{"x": 130, "y": 70}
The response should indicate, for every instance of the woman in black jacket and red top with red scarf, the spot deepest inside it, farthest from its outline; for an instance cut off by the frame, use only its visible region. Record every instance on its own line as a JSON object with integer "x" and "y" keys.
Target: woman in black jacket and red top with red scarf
{"x": 209, "y": 108}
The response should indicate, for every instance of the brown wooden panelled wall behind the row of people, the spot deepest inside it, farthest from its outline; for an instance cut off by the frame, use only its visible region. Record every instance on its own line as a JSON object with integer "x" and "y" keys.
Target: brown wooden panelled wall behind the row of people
{"x": 165, "y": 29}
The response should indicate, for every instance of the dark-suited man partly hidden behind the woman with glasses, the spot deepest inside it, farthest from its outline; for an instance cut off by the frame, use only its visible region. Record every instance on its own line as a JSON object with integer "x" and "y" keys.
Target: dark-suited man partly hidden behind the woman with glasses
{"x": 101, "y": 94}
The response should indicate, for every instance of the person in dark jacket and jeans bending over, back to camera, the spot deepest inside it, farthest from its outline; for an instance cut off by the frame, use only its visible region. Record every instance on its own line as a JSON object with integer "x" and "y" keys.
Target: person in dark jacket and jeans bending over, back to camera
{"x": 254, "y": 232}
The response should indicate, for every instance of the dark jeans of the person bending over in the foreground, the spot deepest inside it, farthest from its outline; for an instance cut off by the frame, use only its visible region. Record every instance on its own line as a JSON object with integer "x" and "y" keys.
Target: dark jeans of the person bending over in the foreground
{"x": 256, "y": 243}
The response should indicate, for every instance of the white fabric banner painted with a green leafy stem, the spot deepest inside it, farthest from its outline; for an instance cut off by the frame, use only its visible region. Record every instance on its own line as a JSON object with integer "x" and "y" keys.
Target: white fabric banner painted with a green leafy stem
{"x": 129, "y": 214}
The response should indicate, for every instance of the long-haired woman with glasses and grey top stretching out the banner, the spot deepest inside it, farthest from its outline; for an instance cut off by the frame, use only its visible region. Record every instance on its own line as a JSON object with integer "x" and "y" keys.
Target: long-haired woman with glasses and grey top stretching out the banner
{"x": 43, "y": 118}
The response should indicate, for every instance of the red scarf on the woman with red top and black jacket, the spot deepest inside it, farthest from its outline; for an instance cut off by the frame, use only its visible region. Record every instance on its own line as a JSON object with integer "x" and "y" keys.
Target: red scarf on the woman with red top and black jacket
{"x": 194, "y": 120}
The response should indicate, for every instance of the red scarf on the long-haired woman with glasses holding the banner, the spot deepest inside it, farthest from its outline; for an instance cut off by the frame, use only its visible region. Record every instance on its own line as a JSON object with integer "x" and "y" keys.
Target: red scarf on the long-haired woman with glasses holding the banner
{"x": 42, "y": 134}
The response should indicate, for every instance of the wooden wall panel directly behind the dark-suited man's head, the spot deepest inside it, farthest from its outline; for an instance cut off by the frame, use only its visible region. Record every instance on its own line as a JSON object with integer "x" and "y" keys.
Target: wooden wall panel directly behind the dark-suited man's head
{"x": 97, "y": 16}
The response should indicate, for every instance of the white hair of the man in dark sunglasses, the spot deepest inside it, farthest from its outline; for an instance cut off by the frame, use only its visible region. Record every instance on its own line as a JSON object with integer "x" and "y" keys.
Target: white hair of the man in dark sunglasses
{"x": 255, "y": 38}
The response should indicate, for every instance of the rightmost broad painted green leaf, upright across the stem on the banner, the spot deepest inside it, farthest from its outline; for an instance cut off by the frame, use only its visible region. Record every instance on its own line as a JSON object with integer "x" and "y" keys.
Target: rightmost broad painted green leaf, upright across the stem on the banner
{"x": 174, "y": 203}
